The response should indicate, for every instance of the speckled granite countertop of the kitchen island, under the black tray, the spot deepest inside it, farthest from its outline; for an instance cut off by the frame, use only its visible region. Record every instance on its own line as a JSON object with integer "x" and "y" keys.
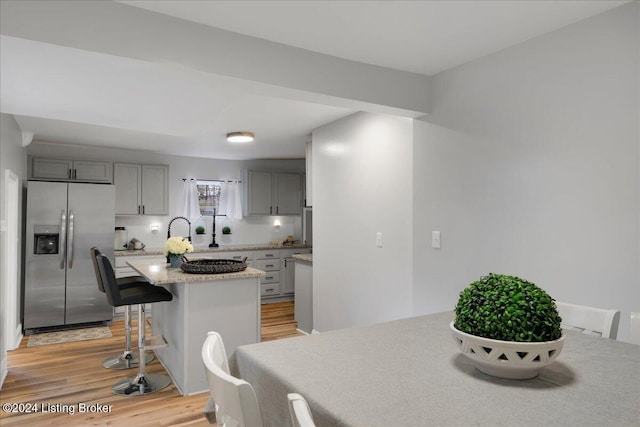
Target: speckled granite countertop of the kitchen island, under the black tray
{"x": 160, "y": 273}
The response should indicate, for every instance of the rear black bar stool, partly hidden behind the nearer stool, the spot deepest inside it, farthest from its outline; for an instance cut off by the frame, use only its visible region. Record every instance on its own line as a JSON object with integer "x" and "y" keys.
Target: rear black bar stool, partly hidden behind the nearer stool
{"x": 128, "y": 359}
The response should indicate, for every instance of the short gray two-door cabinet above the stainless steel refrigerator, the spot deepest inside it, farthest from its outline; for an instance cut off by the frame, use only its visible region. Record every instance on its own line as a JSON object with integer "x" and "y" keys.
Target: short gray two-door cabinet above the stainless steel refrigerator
{"x": 71, "y": 170}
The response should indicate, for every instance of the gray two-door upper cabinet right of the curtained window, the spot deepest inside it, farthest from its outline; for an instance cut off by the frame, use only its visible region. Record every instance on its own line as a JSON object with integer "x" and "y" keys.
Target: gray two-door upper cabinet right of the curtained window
{"x": 273, "y": 193}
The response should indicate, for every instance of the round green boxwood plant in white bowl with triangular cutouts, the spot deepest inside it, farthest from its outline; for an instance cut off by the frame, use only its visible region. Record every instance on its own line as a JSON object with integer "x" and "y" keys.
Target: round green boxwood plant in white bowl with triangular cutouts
{"x": 508, "y": 326}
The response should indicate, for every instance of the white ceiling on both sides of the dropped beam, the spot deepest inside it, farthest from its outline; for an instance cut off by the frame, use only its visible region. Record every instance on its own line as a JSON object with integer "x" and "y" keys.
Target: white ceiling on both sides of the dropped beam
{"x": 75, "y": 96}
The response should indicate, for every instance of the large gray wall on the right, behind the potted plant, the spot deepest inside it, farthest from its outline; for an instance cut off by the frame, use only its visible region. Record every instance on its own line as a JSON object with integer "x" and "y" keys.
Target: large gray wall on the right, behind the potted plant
{"x": 529, "y": 165}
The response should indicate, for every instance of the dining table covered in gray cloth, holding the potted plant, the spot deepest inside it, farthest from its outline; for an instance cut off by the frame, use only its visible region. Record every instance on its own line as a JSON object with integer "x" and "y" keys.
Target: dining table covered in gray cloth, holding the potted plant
{"x": 409, "y": 372}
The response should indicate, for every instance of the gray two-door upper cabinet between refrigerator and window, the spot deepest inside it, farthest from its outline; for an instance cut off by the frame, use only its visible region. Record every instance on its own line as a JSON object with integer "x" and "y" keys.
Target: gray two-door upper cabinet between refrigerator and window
{"x": 141, "y": 189}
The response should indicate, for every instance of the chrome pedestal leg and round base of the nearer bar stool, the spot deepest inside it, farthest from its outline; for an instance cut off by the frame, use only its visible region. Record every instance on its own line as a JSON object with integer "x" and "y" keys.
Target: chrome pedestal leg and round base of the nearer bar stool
{"x": 143, "y": 383}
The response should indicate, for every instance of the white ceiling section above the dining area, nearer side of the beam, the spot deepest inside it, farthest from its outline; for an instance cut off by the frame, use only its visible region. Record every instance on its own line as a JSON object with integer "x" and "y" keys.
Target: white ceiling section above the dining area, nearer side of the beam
{"x": 423, "y": 37}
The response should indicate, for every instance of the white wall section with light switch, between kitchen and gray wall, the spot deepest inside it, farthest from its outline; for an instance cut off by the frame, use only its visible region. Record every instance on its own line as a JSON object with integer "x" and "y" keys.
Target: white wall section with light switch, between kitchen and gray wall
{"x": 362, "y": 184}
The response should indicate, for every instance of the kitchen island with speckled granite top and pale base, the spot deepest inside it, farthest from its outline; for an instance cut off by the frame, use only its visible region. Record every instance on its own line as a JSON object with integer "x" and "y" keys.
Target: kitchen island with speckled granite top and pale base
{"x": 227, "y": 303}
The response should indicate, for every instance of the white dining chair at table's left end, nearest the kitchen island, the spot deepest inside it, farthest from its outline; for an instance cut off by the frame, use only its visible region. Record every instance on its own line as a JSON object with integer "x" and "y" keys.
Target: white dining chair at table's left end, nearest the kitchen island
{"x": 234, "y": 399}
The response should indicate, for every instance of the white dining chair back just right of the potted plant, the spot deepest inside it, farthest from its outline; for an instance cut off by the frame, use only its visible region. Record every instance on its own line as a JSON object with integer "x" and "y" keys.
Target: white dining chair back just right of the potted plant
{"x": 589, "y": 320}
